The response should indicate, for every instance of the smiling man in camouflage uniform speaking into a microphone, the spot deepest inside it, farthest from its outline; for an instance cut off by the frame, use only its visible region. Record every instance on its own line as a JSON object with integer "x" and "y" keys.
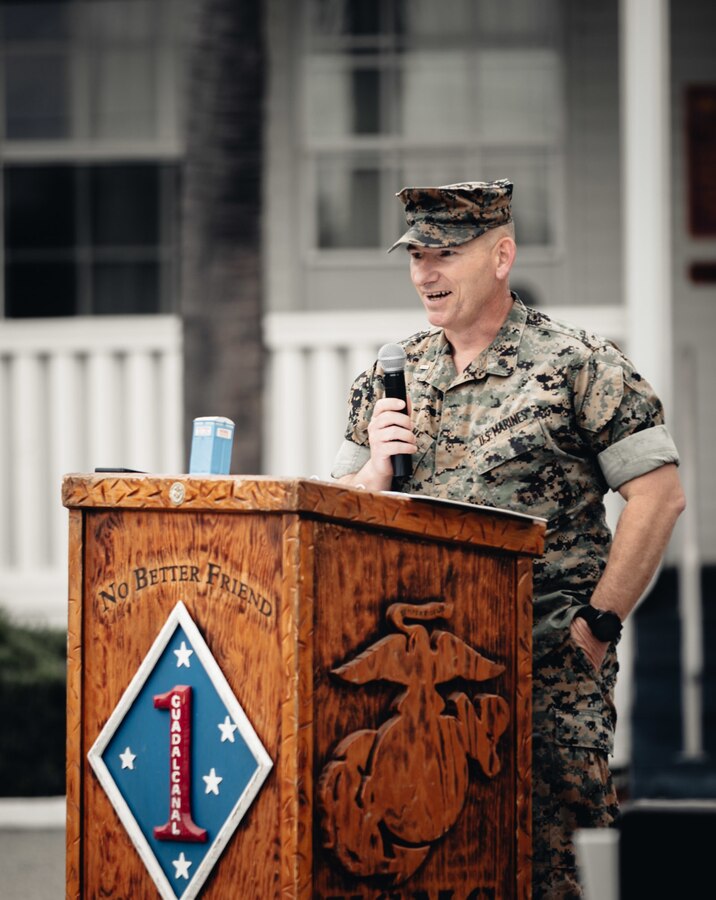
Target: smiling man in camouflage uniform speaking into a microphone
{"x": 511, "y": 409}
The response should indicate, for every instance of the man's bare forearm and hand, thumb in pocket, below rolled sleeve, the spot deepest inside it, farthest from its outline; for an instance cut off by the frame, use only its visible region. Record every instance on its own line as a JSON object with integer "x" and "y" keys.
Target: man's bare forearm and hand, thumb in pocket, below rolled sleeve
{"x": 654, "y": 502}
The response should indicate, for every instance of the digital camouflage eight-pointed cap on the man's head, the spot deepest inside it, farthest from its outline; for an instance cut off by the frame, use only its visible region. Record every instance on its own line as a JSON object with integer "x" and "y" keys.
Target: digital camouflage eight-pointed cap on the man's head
{"x": 453, "y": 214}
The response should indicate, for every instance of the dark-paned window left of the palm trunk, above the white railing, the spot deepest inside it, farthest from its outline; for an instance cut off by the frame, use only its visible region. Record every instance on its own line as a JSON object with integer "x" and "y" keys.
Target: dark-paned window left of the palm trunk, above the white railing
{"x": 89, "y": 119}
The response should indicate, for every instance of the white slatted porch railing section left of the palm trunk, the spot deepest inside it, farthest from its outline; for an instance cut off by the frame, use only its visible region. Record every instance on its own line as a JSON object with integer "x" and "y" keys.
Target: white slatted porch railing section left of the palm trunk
{"x": 76, "y": 394}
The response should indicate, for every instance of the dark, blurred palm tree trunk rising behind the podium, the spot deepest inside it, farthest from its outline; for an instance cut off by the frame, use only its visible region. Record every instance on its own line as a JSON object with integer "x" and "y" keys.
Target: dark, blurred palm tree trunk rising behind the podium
{"x": 221, "y": 229}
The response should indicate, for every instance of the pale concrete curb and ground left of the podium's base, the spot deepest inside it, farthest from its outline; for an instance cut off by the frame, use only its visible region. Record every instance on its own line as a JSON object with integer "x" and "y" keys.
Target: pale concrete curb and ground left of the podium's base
{"x": 32, "y": 849}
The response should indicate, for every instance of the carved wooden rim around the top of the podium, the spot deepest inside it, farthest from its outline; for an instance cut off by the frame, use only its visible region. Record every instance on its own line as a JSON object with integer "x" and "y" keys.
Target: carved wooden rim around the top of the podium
{"x": 414, "y": 514}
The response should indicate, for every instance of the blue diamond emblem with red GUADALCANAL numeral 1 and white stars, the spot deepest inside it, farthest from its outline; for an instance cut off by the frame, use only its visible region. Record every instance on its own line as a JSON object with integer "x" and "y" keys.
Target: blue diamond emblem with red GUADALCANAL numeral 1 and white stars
{"x": 179, "y": 760}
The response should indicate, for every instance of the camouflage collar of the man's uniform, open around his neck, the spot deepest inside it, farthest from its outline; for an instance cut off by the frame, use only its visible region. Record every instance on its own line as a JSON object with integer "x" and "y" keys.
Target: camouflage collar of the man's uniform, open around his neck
{"x": 500, "y": 358}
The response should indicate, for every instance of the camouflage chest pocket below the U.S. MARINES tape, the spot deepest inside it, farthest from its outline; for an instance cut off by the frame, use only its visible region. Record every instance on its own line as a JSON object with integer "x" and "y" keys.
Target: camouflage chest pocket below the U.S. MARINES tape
{"x": 521, "y": 471}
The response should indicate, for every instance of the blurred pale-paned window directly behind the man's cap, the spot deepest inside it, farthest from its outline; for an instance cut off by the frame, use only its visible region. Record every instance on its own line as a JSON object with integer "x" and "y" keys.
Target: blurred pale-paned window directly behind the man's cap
{"x": 418, "y": 92}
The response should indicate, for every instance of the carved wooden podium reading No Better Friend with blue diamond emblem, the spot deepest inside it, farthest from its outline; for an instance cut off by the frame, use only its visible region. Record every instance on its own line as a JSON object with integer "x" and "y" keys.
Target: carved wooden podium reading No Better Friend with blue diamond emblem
{"x": 369, "y": 653}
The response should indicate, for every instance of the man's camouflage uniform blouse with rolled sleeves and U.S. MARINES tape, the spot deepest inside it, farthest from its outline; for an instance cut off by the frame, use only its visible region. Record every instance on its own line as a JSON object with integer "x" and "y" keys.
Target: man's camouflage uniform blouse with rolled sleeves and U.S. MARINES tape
{"x": 543, "y": 422}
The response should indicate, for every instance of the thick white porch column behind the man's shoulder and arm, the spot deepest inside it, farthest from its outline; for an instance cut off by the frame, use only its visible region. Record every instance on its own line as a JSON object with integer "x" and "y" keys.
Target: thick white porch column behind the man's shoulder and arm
{"x": 646, "y": 228}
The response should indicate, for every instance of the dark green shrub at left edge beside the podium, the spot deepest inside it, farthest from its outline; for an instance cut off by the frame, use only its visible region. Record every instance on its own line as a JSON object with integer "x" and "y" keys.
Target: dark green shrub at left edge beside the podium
{"x": 32, "y": 710}
